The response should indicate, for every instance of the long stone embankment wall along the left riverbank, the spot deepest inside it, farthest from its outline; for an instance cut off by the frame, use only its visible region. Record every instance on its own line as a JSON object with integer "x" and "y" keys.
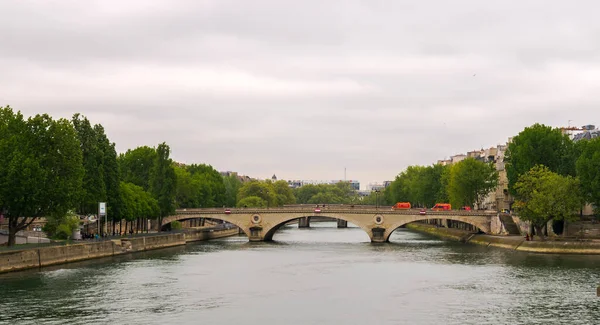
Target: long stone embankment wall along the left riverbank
{"x": 16, "y": 260}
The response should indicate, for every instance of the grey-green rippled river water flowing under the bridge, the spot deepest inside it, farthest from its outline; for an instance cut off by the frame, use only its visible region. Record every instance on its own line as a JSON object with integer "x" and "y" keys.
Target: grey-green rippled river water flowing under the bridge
{"x": 320, "y": 275}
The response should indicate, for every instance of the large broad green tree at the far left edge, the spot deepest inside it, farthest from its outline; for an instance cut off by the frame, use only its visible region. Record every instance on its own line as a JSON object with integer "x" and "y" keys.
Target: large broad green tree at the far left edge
{"x": 40, "y": 168}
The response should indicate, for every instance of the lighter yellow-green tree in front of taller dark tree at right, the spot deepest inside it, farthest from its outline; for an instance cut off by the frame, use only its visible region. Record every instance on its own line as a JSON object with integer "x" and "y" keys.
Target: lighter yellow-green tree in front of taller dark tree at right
{"x": 544, "y": 195}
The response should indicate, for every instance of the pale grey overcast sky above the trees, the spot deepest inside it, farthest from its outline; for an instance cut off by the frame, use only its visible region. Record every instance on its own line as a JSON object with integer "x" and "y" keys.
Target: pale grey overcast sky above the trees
{"x": 302, "y": 89}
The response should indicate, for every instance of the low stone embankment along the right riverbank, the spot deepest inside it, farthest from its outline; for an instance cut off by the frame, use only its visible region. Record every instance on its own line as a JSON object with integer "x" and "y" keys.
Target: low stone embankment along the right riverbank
{"x": 517, "y": 243}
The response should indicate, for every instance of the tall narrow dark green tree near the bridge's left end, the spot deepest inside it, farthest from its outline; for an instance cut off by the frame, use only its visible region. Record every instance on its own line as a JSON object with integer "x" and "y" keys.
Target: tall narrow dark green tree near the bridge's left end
{"x": 163, "y": 181}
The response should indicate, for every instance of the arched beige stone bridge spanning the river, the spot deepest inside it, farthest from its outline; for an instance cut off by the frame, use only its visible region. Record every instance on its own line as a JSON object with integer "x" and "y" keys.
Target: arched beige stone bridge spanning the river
{"x": 261, "y": 224}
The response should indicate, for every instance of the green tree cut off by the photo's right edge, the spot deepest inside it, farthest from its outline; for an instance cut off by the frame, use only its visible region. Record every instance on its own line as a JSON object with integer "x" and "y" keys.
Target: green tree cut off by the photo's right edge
{"x": 588, "y": 171}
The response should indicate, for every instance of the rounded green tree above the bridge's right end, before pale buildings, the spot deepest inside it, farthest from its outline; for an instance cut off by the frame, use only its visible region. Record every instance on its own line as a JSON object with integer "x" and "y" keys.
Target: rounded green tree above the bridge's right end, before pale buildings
{"x": 470, "y": 181}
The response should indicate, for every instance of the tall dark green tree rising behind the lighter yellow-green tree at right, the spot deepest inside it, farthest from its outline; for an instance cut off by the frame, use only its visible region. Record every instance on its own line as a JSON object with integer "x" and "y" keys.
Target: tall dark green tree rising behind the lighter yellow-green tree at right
{"x": 539, "y": 145}
